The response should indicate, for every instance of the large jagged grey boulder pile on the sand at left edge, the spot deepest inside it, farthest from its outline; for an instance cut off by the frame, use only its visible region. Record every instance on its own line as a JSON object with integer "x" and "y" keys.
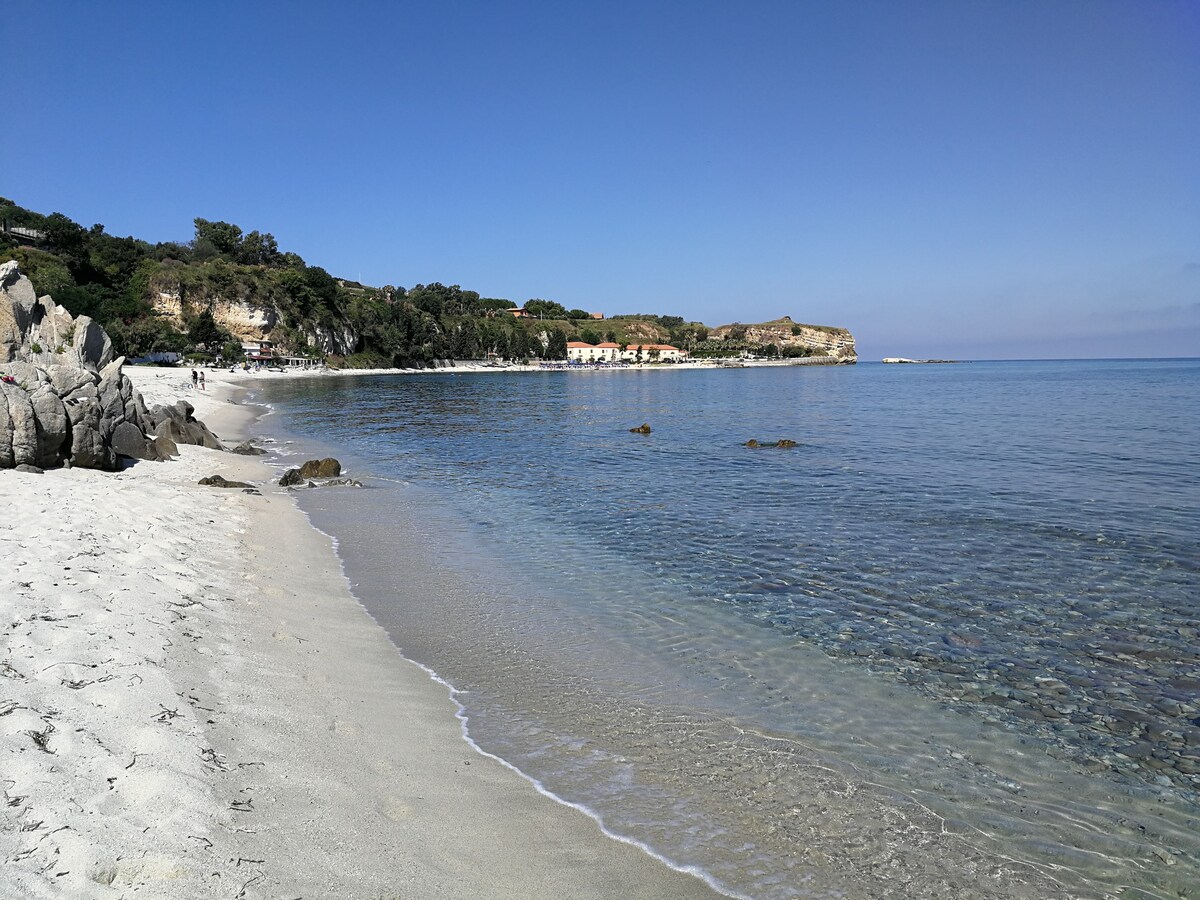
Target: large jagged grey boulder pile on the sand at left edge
{"x": 64, "y": 400}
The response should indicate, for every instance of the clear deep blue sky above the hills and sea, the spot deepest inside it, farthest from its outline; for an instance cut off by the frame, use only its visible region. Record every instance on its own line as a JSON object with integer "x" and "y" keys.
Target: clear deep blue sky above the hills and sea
{"x": 1007, "y": 179}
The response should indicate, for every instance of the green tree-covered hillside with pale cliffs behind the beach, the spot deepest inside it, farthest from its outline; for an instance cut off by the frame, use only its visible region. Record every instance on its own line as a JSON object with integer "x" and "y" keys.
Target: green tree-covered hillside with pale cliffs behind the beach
{"x": 226, "y": 286}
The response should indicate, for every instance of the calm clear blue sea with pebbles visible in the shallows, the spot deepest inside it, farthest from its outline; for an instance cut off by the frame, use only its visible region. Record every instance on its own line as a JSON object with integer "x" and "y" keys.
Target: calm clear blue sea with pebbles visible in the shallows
{"x": 947, "y": 646}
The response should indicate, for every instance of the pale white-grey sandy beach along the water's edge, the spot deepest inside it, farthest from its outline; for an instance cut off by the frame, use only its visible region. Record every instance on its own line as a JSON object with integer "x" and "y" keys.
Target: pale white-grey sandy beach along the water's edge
{"x": 194, "y": 705}
